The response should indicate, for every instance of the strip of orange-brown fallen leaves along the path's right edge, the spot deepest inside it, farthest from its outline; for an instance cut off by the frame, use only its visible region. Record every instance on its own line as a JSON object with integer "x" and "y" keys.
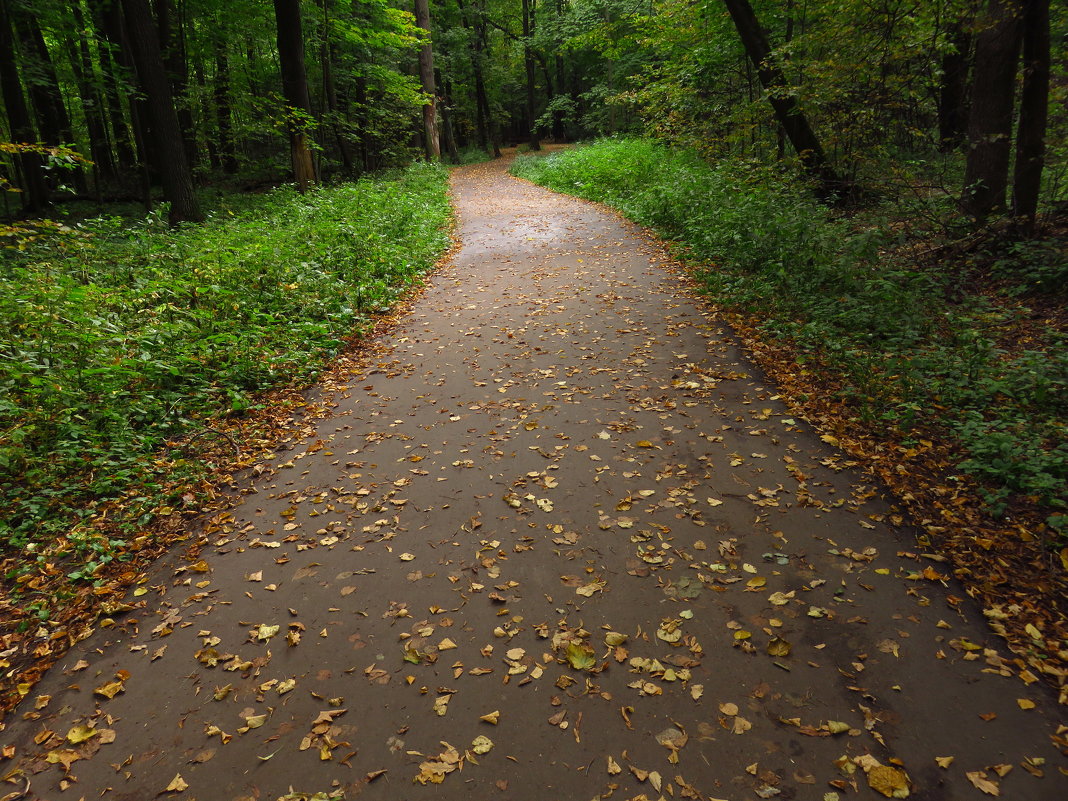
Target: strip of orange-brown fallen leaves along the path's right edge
{"x": 1018, "y": 584}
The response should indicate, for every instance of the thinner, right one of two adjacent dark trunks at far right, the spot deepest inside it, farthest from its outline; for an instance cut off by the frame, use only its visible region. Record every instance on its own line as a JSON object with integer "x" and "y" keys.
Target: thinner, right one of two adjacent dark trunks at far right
{"x": 1034, "y": 105}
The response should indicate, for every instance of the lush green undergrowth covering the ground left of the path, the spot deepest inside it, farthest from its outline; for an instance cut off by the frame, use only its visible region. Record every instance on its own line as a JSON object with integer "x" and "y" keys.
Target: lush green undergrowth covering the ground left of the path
{"x": 117, "y": 338}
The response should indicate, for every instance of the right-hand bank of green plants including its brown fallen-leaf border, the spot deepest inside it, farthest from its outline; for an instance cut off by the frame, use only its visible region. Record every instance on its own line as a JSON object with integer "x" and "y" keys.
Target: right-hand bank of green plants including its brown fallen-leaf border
{"x": 945, "y": 366}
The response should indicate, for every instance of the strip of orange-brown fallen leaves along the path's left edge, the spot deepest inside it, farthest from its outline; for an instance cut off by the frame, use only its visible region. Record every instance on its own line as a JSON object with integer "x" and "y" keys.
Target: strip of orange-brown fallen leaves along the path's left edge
{"x": 281, "y": 417}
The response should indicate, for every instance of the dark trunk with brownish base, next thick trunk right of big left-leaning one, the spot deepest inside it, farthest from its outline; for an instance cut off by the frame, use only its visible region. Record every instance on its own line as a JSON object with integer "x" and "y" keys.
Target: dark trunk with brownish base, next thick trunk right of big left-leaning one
{"x": 291, "y": 53}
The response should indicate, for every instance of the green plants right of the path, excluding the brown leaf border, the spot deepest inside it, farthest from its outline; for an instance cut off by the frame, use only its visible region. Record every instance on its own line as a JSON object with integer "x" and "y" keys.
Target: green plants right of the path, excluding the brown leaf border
{"x": 912, "y": 347}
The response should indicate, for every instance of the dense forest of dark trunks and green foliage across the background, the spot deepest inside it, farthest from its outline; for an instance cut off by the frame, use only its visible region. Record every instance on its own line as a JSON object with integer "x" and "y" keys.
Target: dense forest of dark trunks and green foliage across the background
{"x": 938, "y": 96}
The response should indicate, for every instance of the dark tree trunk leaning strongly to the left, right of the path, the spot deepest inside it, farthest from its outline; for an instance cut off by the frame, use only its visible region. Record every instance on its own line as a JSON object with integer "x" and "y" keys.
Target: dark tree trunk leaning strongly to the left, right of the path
{"x": 791, "y": 118}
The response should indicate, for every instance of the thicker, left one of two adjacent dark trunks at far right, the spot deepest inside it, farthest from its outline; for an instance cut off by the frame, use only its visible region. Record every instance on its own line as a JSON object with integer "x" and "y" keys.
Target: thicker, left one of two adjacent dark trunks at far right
{"x": 991, "y": 125}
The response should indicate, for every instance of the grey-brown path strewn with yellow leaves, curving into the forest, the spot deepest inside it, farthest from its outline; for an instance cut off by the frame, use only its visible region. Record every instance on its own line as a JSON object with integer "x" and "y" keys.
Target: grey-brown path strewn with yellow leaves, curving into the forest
{"x": 562, "y": 513}
